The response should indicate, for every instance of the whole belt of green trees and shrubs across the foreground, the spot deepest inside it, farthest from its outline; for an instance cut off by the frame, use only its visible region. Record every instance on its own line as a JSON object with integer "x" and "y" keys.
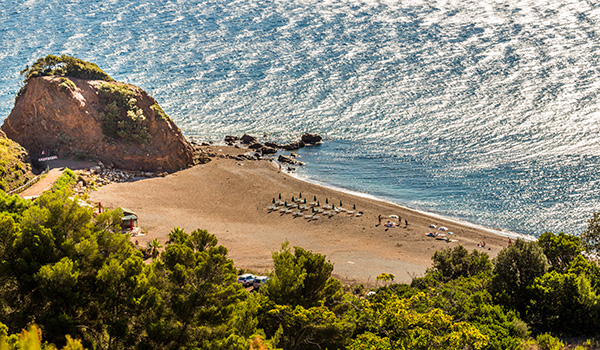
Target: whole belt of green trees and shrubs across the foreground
{"x": 76, "y": 275}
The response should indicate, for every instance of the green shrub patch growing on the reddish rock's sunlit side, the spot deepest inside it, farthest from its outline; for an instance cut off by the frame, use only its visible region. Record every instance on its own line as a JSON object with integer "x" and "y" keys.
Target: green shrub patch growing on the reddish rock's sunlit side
{"x": 122, "y": 119}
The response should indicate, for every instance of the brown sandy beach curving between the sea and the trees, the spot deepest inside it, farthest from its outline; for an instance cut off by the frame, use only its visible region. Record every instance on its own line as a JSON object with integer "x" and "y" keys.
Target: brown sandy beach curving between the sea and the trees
{"x": 230, "y": 199}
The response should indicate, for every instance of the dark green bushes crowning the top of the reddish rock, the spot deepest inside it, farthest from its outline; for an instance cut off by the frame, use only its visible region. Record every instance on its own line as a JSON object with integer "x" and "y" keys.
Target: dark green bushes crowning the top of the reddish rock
{"x": 65, "y": 66}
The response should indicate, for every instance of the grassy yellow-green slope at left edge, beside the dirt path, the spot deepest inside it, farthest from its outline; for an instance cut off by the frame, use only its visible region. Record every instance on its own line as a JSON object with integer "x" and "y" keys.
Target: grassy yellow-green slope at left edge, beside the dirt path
{"x": 14, "y": 171}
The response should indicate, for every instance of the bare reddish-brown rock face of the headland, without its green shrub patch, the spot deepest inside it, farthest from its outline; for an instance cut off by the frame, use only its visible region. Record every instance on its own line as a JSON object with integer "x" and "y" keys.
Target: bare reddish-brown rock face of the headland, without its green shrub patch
{"x": 68, "y": 122}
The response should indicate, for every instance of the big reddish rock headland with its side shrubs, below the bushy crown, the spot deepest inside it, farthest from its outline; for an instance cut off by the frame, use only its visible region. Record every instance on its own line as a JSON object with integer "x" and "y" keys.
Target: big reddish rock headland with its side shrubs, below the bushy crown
{"x": 71, "y": 117}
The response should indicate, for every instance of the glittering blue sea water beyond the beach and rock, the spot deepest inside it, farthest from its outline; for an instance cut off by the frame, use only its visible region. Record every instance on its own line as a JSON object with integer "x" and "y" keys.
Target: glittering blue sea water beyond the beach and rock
{"x": 482, "y": 110}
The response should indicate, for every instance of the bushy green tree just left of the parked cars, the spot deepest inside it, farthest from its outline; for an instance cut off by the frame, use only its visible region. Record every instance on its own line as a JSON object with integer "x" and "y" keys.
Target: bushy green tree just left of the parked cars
{"x": 200, "y": 292}
